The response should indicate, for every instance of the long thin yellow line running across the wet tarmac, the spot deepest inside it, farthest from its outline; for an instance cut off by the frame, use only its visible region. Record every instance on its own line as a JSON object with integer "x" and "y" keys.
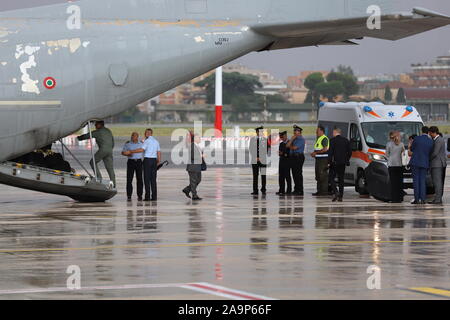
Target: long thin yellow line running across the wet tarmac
{"x": 236, "y": 244}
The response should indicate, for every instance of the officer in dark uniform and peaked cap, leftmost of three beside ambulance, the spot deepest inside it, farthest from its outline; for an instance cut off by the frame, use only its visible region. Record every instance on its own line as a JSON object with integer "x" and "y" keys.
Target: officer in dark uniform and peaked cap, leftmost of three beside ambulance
{"x": 259, "y": 148}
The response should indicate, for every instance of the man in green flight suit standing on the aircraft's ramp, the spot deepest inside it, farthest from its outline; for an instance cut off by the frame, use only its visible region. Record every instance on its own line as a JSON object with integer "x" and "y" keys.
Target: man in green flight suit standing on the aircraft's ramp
{"x": 105, "y": 141}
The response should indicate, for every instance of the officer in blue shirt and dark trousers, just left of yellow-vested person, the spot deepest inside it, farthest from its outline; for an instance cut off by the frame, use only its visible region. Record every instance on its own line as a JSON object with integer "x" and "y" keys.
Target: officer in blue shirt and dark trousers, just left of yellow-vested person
{"x": 297, "y": 159}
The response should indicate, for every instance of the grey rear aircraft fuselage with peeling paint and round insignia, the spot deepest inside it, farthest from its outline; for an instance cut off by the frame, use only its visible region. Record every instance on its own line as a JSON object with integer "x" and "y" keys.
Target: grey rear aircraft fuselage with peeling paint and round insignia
{"x": 64, "y": 64}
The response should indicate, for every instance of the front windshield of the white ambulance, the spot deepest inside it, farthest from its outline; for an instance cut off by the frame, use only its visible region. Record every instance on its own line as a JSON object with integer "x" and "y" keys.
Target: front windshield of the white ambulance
{"x": 376, "y": 134}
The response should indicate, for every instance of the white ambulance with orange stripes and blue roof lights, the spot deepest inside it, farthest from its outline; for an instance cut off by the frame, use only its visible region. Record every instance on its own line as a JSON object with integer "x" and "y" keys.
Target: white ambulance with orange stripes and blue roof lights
{"x": 367, "y": 125}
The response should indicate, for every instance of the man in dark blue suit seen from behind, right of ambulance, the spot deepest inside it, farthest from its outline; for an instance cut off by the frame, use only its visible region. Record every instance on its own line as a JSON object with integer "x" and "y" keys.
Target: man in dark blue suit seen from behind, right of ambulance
{"x": 420, "y": 163}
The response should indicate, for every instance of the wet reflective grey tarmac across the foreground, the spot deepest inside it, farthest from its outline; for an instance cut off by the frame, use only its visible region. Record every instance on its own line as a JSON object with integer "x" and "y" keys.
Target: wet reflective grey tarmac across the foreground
{"x": 231, "y": 245}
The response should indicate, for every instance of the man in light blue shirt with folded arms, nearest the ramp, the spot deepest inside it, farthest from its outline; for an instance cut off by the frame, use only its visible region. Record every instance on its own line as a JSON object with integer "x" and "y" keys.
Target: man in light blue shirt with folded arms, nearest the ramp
{"x": 134, "y": 166}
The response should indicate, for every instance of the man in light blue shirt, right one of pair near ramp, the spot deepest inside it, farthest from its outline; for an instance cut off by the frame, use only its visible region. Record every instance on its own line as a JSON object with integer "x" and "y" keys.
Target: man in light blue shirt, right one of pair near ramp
{"x": 152, "y": 158}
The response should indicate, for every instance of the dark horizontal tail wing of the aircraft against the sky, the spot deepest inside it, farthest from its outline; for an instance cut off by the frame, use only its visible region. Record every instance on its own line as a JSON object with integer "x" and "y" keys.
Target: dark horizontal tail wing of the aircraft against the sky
{"x": 340, "y": 31}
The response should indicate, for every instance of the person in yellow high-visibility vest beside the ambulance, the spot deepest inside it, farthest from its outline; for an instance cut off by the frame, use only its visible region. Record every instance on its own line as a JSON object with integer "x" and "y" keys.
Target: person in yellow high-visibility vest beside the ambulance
{"x": 321, "y": 155}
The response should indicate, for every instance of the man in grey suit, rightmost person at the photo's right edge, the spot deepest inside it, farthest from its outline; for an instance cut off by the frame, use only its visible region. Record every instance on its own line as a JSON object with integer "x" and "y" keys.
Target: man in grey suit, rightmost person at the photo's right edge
{"x": 438, "y": 163}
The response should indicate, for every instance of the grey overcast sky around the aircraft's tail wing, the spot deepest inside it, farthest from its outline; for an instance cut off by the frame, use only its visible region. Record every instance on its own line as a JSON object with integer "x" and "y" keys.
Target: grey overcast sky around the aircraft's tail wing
{"x": 370, "y": 57}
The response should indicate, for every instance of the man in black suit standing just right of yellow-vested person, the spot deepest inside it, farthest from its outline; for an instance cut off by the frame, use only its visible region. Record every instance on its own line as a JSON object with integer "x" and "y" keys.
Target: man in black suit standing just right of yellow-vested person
{"x": 339, "y": 155}
